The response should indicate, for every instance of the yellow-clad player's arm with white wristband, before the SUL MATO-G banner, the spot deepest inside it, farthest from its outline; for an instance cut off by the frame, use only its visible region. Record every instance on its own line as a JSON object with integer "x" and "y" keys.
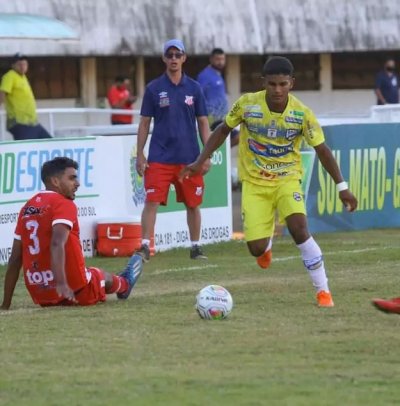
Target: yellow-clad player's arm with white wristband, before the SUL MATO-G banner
{"x": 329, "y": 163}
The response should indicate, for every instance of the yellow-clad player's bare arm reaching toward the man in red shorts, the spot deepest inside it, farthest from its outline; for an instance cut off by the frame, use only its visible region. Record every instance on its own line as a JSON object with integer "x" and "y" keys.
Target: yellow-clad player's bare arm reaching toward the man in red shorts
{"x": 217, "y": 138}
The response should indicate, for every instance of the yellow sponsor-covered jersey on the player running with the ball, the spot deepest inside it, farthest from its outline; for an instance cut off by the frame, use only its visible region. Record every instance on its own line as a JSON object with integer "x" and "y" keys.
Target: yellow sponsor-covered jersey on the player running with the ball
{"x": 269, "y": 142}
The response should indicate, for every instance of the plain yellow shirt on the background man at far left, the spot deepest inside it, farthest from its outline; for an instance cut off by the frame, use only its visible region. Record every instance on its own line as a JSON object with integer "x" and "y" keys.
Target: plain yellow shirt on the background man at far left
{"x": 19, "y": 101}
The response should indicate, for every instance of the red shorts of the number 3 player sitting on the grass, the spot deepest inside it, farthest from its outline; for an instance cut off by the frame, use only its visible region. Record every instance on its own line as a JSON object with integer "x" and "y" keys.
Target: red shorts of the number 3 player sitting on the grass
{"x": 94, "y": 292}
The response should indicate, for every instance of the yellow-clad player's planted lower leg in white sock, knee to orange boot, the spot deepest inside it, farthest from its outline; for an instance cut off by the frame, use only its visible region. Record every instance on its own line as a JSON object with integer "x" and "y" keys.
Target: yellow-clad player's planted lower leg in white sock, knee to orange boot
{"x": 312, "y": 257}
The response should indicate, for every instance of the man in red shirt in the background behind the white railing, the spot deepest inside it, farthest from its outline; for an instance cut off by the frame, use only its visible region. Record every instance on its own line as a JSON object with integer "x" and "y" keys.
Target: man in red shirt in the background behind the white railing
{"x": 119, "y": 97}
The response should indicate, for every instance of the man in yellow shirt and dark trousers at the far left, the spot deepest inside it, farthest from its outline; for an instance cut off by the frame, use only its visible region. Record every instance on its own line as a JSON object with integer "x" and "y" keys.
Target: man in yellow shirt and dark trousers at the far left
{"x": 20, "y": 105}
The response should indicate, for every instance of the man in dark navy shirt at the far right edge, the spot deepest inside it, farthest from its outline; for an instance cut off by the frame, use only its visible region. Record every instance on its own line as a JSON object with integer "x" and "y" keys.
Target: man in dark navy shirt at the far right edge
{"x": 387, "y": 84}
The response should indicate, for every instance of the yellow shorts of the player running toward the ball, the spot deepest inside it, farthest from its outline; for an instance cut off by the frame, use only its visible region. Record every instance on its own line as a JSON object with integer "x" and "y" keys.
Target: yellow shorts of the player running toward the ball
{"x": 259, "y": 204}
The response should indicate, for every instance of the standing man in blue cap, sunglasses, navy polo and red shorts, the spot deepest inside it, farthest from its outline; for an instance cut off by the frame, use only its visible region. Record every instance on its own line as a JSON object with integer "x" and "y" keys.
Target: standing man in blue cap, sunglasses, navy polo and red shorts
{"x": 176, "y": 102}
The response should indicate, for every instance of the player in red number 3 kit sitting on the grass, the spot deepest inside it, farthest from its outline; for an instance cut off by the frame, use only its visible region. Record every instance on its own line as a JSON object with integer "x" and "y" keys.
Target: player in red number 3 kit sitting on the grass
{"x": 47, "y": 246}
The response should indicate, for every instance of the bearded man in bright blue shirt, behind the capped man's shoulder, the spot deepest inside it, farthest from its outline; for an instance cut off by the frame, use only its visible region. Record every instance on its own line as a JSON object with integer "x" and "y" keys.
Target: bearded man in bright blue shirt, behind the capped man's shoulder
{"x": 213, "y": 85}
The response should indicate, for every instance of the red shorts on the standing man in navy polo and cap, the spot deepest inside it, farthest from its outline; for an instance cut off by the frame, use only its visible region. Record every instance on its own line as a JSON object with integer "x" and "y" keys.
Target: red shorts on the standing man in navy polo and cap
{"x": 159, "y": 177}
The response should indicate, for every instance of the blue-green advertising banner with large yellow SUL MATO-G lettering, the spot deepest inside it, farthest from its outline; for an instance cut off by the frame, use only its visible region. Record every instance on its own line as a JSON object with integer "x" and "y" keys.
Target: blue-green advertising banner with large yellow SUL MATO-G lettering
{"x": 369, "y": 157}
